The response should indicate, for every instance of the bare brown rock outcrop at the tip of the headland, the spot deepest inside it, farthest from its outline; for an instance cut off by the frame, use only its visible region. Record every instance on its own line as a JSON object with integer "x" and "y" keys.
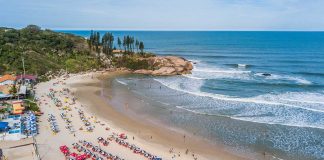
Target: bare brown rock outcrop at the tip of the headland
{"x": 167, "y": 65}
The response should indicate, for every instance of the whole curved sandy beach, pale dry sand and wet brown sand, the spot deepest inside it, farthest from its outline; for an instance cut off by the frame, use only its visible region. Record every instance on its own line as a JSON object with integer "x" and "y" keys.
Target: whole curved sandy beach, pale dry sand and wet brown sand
{"x": 85, "y": 88}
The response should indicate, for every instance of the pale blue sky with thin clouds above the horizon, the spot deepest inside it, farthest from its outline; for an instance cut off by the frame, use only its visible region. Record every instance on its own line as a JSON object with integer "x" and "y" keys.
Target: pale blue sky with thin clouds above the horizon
{"x": 272, "y": 15}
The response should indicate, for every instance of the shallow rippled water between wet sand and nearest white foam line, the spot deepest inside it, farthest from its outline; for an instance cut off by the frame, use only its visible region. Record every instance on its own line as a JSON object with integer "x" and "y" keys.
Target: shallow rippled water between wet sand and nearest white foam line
{"x": 241, "y": 136}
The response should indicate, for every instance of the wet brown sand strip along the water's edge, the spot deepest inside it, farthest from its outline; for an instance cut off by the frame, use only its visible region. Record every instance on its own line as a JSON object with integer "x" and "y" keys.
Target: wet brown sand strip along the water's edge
{"x": 165, "y": 137}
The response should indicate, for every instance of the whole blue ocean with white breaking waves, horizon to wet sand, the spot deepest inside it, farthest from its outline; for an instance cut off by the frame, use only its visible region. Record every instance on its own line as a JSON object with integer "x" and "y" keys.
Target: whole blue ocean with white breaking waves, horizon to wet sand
{"x": 255, "y": 92}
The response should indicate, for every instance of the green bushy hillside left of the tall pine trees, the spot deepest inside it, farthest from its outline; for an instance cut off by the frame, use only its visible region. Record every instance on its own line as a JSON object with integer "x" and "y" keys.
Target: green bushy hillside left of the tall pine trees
{"x": 43, "y": 51}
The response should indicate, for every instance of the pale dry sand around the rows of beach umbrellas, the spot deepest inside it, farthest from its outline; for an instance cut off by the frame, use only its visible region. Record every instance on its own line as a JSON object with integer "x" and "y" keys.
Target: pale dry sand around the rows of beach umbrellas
{"x": 49, "y": 143}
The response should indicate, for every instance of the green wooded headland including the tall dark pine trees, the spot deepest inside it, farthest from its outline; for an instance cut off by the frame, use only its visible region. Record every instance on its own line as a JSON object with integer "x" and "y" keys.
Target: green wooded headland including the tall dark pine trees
{"x": 45, "y": 50}
